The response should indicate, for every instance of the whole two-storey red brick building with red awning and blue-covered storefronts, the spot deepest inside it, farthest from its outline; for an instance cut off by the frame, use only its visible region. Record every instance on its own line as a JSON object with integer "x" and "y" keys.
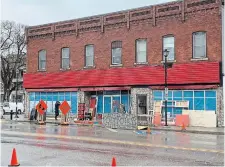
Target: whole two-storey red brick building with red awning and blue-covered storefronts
{"x": 119, "y": 57}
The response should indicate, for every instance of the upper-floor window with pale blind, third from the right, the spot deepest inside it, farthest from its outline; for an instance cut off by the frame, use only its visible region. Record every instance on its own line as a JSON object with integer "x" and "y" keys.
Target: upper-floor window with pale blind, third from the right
{"x": 141, "y": 51}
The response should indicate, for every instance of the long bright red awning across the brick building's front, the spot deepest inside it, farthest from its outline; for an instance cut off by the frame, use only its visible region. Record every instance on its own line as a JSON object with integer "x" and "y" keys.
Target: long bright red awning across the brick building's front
{"x": 179, "y": 74}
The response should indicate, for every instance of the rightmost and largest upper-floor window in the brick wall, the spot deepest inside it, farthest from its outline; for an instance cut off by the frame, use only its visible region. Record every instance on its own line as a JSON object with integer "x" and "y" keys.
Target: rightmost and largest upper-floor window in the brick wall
{"x": 199, "y": 45}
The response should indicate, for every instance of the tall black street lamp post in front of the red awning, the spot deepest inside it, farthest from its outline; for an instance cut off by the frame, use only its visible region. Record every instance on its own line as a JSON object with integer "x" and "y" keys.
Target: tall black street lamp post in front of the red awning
{"x": 166, "y": 53}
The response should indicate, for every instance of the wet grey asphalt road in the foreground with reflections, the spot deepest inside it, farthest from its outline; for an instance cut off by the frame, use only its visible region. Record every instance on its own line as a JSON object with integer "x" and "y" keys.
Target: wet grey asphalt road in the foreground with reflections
{"x": 52, "y": 145}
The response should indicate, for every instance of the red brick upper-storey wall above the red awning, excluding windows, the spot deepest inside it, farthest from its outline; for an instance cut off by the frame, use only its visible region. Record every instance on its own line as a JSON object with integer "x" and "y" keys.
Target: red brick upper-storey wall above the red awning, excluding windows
{"x": 180, "y": 19}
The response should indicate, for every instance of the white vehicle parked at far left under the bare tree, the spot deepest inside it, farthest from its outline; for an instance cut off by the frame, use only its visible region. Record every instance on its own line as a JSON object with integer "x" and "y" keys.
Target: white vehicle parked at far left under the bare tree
{"x": 8, "y": 106}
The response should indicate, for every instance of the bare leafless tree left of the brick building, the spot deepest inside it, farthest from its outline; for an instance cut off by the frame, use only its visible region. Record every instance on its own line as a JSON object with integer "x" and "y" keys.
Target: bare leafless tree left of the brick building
{"x": 13, "y": 53}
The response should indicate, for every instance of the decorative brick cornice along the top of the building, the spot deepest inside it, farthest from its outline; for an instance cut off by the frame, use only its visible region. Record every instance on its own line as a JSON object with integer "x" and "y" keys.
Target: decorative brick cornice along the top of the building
{"x": 179, "y": 9}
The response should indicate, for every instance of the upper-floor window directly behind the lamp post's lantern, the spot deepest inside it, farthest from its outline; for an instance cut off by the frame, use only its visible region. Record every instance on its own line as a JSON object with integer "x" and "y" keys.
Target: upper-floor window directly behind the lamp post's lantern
{"x": 168, "y": 43}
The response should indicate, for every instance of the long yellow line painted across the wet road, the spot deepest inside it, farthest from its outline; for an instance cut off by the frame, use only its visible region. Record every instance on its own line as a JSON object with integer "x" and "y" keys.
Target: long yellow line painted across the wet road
{"x": 90, "y": 139}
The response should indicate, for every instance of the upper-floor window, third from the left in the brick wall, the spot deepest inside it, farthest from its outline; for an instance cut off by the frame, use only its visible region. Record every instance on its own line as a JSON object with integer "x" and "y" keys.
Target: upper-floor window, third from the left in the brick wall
{"x": 89, "y": 55}
